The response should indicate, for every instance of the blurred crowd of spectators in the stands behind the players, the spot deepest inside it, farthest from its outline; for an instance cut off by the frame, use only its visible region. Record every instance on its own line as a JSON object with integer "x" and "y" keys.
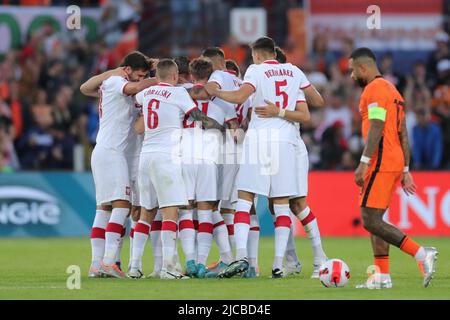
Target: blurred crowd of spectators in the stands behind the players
{"x": 43, "y": 115}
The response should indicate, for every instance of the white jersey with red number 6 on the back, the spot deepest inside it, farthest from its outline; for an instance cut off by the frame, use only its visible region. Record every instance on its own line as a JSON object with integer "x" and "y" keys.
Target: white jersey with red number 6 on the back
{"x": 164, "y": 108}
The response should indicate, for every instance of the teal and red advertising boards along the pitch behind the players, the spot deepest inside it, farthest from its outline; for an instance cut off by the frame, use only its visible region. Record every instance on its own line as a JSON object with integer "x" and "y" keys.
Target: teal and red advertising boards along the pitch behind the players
{"x": 63, "y": 204}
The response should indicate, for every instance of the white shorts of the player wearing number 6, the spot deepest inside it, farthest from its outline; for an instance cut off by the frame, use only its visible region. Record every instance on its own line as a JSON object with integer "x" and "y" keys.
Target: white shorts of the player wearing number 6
{"x": 162, "y": 175}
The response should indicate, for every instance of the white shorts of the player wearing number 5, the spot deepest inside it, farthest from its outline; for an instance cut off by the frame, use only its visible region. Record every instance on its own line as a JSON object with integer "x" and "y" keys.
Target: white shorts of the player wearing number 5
{"x": 269, "y": 169}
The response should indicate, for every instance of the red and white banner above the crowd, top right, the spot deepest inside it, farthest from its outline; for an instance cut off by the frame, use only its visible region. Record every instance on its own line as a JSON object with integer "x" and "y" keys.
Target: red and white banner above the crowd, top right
{"x": 390, "y": 25}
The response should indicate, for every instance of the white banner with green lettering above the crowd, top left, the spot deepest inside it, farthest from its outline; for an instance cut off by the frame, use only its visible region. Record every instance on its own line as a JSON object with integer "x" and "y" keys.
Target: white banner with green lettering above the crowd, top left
{"x": 16, "y": 23}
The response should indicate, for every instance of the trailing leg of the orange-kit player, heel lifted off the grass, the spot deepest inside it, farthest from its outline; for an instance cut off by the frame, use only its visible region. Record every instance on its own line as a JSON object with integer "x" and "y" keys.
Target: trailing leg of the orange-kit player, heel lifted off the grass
{"x": 375, "y": 198}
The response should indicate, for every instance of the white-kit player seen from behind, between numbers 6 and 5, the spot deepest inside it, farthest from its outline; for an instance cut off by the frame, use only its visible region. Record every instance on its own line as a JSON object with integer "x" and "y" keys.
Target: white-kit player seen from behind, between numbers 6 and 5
{"x": 203, "y": 149}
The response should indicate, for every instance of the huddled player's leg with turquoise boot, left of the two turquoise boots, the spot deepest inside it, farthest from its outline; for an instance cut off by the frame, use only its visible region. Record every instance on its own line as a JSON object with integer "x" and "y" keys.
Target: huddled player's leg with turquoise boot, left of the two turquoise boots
{"x": 188, "y": 238}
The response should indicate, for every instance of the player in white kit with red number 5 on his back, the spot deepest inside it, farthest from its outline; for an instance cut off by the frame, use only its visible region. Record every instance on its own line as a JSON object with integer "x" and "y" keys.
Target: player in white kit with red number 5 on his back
{"x": 269, "y": 147}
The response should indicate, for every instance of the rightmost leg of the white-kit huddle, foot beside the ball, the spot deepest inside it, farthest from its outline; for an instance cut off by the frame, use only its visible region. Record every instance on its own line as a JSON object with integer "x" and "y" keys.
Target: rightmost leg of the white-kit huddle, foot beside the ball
{"x": 301, "y": 210}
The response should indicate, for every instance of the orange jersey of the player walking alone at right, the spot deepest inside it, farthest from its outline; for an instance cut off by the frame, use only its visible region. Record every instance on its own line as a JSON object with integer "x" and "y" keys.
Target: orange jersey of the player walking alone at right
{"x": 382, "y": 95}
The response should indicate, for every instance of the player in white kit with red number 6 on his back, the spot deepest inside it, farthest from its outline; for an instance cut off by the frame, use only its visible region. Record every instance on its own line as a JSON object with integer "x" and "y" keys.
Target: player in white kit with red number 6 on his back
{"x": 160, "y": 173}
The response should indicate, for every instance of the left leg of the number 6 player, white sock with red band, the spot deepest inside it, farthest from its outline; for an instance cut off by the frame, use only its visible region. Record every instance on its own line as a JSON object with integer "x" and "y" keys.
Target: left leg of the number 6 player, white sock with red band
{"x": 141, "y": 234}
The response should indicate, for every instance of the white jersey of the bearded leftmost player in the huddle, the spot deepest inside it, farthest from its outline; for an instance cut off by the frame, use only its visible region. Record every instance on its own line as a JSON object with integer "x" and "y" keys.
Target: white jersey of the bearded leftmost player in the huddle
{"x": 116, "y": 113}
